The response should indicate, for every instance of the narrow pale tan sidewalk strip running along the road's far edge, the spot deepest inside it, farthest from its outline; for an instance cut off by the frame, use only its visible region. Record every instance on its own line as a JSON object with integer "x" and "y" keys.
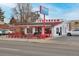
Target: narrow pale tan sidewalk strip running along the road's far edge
{"x": 46, "y": 41}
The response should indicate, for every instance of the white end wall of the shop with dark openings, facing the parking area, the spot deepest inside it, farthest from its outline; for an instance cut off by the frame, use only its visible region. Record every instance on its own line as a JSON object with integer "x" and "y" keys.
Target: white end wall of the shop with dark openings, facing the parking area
{"x": 59, "y": 30}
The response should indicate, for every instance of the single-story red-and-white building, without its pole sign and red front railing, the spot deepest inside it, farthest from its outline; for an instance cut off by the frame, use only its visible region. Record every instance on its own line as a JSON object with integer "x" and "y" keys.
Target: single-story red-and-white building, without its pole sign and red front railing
{"x": 53, "y": 27}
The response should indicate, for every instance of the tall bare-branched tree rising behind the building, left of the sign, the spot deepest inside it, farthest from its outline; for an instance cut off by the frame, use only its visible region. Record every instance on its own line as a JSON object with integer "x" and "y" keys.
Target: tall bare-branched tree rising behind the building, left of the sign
{"x": 22, "y": 11}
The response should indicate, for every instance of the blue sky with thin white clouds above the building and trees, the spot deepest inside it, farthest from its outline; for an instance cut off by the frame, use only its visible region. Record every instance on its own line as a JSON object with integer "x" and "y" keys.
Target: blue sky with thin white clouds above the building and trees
{"x": 66, "y": 11}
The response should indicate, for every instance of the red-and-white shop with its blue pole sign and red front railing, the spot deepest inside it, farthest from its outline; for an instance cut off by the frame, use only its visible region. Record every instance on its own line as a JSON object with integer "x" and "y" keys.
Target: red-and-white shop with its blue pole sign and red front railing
{"x": 41, "y": 28}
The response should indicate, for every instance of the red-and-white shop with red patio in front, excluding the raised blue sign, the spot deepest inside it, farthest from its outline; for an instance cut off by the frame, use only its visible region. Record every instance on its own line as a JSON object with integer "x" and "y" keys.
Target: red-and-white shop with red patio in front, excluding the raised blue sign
{"x": 52, "y": 28}
